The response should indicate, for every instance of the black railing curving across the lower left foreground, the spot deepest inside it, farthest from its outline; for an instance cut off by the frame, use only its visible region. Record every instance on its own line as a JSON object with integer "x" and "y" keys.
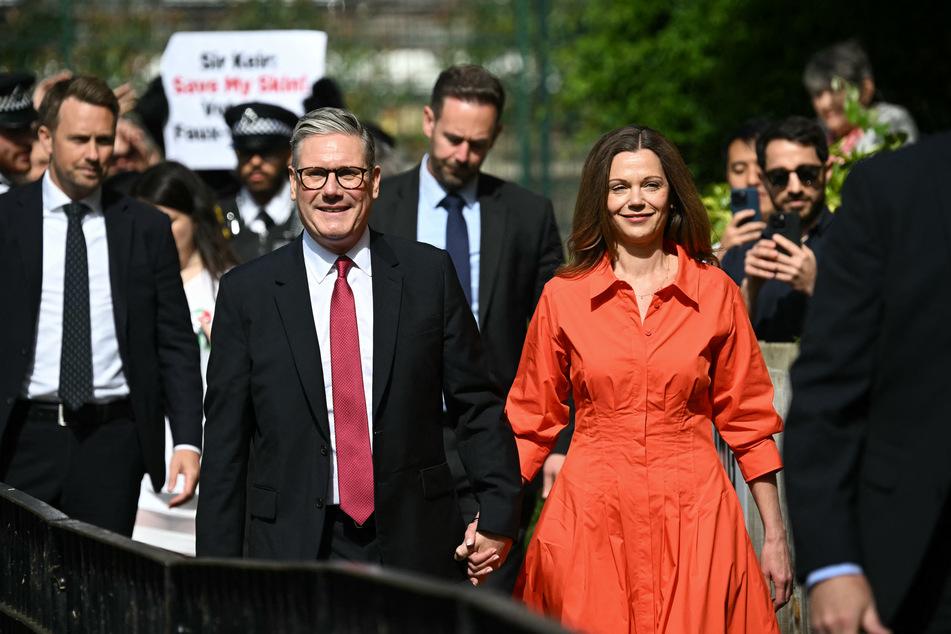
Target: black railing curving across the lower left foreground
{"x": 62, "y": 575}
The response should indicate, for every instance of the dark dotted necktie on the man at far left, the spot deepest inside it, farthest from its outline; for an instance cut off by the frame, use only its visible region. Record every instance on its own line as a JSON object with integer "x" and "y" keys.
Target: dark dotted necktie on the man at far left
{"x": 75, "y": 370}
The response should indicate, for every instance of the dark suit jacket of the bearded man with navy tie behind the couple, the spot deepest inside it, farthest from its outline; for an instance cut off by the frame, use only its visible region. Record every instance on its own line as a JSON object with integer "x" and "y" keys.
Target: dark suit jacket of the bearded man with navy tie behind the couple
{"x": 519, "y": 252}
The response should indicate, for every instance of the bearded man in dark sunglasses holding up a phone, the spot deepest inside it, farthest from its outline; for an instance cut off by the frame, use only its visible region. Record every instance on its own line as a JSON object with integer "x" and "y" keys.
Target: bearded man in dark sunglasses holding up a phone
{"x": 780, "y": 274}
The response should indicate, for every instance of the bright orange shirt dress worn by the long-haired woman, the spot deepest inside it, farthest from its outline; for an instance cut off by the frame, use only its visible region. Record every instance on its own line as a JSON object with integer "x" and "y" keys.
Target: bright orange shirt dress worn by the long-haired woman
{"x": 642, "y": 531}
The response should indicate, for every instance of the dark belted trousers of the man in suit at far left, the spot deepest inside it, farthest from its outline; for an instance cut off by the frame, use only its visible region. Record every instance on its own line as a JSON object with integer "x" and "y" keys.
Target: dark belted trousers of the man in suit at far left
{"x": 92, "y": 473}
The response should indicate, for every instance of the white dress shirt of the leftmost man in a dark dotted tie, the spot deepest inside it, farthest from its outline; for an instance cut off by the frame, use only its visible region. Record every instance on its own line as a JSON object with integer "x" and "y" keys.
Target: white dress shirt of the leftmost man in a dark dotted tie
{"x": 42, "y": 377}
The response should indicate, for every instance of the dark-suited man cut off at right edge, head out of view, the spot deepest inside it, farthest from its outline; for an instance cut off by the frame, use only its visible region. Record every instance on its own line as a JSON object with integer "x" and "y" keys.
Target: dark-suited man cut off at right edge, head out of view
{"x": 867, "y": 437}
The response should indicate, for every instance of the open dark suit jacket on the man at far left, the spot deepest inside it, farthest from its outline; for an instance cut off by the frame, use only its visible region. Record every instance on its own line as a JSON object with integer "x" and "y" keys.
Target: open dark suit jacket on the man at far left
{"x": 156, "y": 343}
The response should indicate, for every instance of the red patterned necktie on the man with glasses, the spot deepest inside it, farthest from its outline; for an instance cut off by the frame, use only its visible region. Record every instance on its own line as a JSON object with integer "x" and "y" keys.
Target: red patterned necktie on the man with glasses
{"x": 354, "y": 462}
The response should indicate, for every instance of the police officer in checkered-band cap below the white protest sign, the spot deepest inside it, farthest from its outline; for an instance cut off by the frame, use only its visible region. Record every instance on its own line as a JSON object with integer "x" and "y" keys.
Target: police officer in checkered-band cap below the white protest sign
{"x": 260, "y": 217}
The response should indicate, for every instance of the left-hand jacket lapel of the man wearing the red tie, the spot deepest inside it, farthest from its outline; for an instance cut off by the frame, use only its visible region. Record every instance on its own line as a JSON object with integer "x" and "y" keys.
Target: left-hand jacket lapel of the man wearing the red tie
{"x": 297, "y": 316}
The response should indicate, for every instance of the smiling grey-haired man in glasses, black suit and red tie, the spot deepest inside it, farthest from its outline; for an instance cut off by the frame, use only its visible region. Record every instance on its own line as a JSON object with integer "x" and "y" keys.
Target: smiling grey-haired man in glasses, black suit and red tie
{"x": 331, "y": 357}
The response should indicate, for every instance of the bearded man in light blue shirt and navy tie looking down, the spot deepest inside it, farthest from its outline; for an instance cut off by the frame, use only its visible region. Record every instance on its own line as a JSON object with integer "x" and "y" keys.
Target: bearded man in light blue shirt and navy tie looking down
{"x": 508, "y": 242}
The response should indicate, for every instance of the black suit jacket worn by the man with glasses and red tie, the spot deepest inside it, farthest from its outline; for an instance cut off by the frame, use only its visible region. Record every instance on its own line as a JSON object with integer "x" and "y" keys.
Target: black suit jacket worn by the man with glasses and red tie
{"x": 266, "y": 390}
